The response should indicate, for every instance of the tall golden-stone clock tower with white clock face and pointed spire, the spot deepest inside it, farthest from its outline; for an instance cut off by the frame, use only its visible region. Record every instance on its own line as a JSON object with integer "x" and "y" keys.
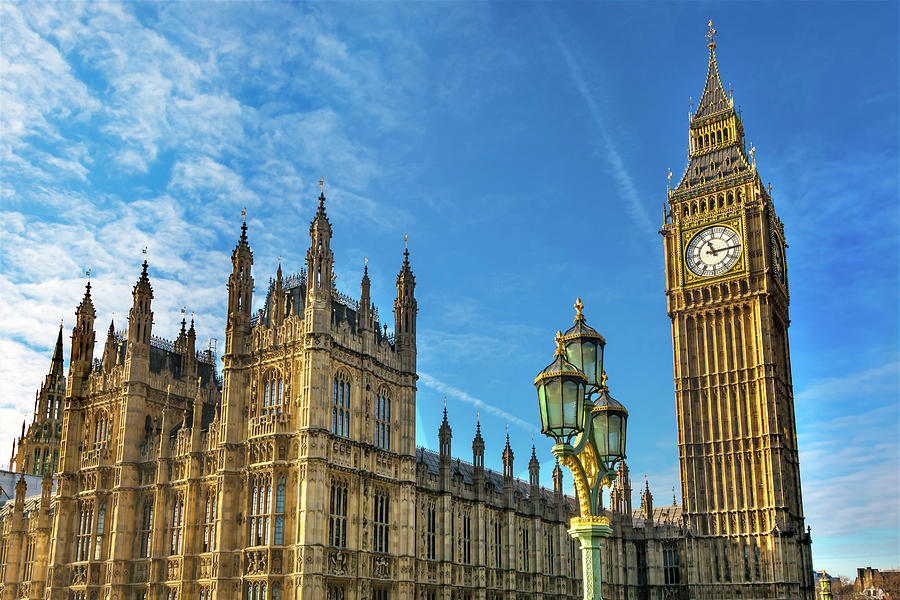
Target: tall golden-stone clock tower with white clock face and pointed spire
{"x": 728, "y": 296}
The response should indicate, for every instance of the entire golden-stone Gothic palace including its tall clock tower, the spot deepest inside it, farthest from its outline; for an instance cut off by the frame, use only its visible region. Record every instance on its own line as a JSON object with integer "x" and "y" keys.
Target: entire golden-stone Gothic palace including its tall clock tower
{"x": 146, "y": 475}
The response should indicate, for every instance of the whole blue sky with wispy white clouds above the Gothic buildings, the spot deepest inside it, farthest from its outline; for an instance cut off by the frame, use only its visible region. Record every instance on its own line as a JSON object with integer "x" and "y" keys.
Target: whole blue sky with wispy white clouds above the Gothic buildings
{"x": 522, "y": 147}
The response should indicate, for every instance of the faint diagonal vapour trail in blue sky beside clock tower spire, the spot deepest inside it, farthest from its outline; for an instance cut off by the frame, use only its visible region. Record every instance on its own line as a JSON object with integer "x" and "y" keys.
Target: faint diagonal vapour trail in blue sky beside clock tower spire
{"x": 613, "y": 156}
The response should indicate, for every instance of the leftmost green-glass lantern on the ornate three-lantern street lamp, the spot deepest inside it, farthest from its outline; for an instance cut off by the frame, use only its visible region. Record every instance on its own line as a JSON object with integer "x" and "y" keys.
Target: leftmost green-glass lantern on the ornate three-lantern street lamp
{"x": 561, "y": 390}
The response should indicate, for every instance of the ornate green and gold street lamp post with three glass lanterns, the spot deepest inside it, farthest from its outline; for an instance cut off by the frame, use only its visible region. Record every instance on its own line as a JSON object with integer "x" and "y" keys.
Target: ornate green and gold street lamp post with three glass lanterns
{"x": 588, "y": 426}
